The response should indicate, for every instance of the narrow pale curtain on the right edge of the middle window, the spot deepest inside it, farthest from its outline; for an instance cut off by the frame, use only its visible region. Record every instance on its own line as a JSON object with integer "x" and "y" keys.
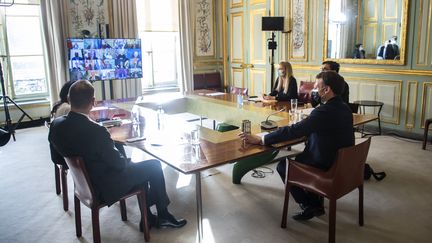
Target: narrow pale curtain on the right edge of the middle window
{"x": 186, "y": 45}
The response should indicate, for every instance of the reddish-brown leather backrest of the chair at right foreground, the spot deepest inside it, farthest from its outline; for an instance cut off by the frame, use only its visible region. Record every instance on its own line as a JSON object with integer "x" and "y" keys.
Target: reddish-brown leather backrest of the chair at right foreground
{"x": 348, "y": 169}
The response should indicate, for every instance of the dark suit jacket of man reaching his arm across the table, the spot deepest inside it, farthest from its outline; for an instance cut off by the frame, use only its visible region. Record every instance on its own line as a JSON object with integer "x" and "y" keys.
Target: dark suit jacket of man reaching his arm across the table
{"x": 328, "y": 128}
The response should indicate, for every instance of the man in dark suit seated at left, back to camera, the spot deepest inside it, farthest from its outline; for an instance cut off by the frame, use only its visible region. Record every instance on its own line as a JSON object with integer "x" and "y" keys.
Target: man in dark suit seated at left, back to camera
{"x": 111, "y": 174}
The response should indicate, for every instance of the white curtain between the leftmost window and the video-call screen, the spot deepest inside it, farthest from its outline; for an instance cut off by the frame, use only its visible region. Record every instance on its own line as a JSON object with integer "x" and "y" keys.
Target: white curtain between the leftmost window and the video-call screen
{"x": 54, "y": 29}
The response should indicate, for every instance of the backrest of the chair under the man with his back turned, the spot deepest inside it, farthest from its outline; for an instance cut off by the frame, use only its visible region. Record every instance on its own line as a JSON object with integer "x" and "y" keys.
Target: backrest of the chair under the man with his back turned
{"x": 83, "y": 189}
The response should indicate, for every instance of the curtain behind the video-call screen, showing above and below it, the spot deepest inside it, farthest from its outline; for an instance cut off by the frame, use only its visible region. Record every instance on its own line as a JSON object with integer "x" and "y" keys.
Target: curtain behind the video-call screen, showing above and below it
{"x": 125, "y": 26}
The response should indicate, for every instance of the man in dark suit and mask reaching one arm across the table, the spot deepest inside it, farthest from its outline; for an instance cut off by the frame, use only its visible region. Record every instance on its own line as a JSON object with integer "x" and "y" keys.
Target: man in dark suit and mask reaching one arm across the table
{"x": 328, "y": 128}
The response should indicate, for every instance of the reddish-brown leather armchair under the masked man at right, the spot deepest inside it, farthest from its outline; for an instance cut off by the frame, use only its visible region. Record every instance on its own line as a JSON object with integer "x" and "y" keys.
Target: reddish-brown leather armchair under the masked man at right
{"x": 345, "y": 175}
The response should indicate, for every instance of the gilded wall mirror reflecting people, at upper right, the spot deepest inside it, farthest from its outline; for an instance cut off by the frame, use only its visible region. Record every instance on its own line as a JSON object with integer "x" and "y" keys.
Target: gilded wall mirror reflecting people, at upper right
{"x": 365, "y": 31}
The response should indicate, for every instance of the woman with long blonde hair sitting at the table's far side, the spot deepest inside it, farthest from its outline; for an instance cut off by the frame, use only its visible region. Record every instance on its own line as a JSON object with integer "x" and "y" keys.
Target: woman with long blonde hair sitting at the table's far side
{"x": 285, "y": 87}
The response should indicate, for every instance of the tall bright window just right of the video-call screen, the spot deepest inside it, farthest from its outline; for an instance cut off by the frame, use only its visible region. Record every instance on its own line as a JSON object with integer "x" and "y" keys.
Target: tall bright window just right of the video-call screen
{"x": 158, "y": 30}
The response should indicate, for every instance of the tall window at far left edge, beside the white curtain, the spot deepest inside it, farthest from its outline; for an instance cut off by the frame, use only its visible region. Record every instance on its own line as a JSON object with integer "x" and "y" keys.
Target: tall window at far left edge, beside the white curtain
{"x": 21, "y": 51}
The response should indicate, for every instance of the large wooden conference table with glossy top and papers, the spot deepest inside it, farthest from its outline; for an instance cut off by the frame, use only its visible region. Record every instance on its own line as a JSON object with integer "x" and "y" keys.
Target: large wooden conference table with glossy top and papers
{"x": 167, "y": 135}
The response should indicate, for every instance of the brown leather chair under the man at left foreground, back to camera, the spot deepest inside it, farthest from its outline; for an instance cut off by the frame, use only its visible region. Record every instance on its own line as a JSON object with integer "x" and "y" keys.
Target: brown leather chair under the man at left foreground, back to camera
{"x": 84, "y": 192}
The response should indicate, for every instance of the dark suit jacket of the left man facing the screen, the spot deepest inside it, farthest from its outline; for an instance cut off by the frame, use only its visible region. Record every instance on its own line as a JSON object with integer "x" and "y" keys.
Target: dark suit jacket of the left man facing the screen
{"x": 76, "y": 135}
